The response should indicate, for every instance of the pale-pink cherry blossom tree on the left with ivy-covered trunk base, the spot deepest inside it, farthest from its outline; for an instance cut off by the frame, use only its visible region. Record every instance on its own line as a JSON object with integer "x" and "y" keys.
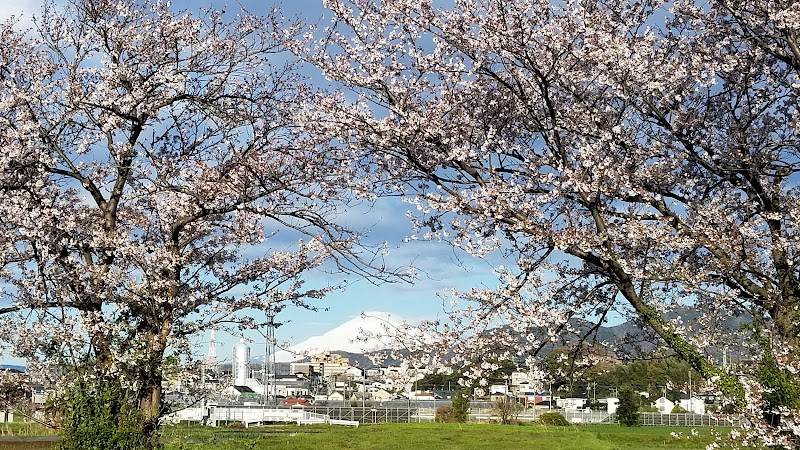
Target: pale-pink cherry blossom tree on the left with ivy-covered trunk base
{"x": 151, "y": 188}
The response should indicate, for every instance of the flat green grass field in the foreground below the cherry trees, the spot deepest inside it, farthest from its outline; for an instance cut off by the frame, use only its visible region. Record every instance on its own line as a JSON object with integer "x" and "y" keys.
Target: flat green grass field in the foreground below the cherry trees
{"x": 435, "y": 437}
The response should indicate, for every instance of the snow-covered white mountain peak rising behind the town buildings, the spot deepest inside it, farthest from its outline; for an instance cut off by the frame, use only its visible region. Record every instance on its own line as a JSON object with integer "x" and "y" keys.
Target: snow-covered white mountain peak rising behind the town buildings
{"x": 357, "y": 335}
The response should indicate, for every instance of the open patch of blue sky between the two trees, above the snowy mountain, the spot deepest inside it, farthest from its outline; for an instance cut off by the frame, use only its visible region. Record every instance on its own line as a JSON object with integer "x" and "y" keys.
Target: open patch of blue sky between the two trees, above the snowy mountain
{"x": 440, "y": 268}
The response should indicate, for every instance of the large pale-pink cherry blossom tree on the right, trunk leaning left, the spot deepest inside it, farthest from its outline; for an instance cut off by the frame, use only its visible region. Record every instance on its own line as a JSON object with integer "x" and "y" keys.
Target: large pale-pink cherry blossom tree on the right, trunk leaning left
{"x": 625, "y": 158}
